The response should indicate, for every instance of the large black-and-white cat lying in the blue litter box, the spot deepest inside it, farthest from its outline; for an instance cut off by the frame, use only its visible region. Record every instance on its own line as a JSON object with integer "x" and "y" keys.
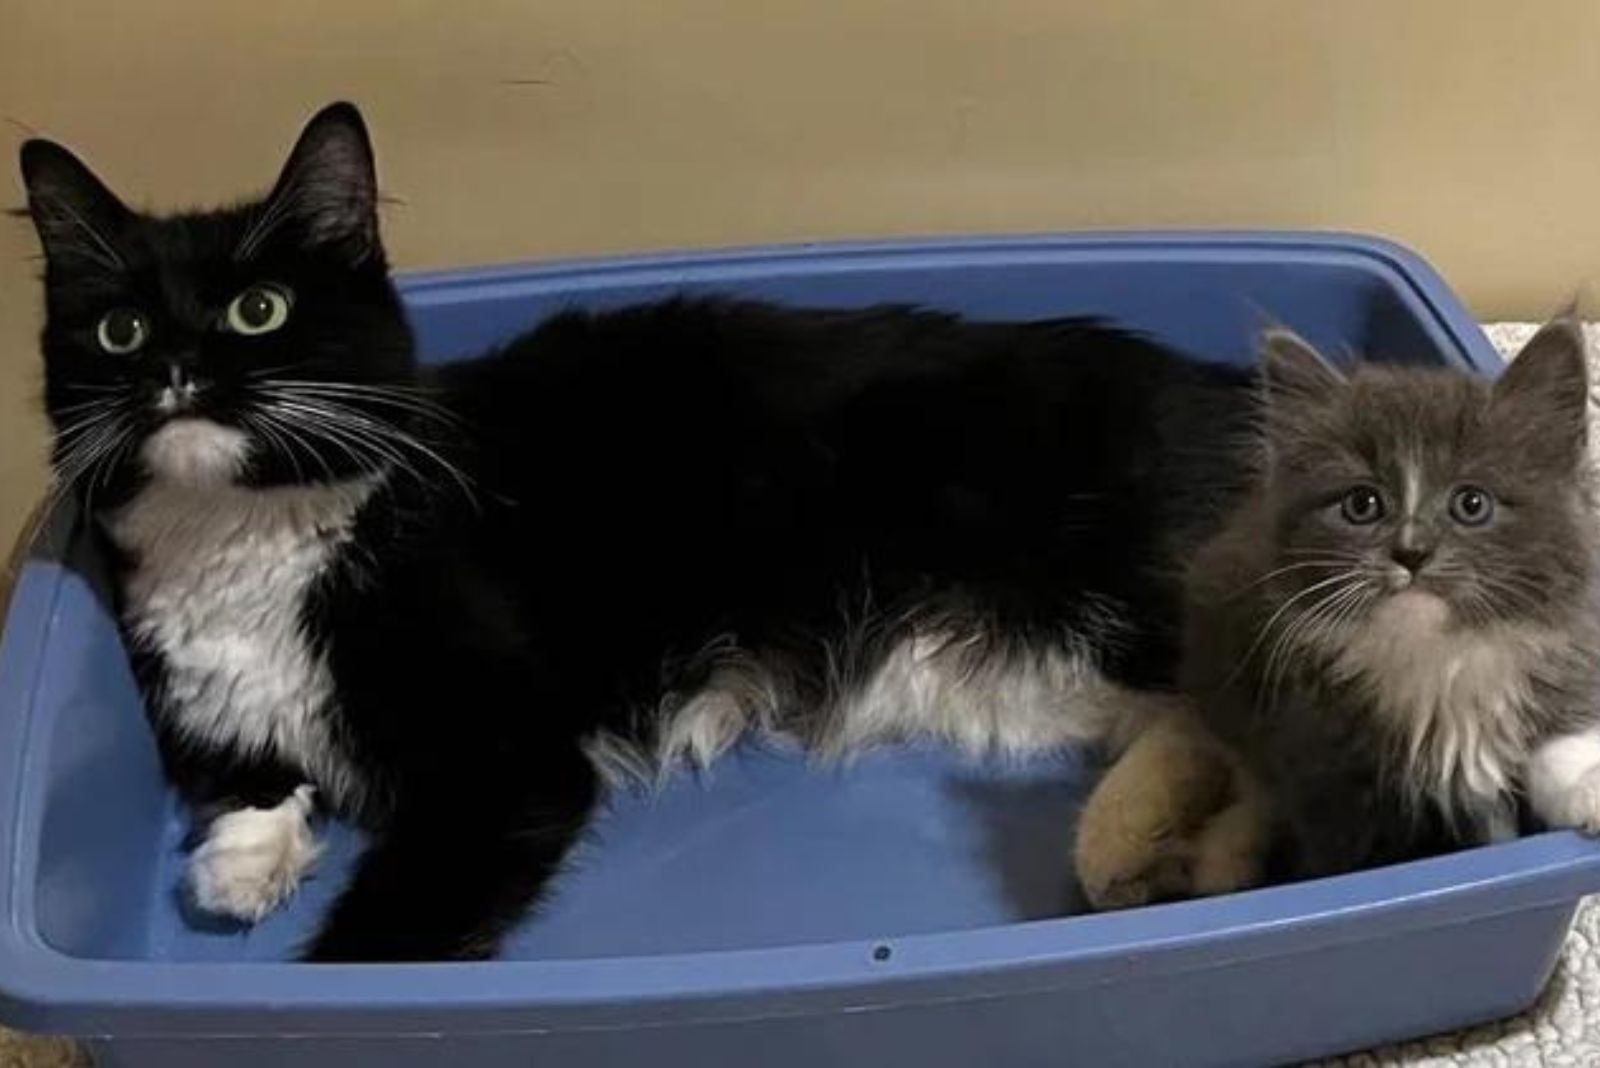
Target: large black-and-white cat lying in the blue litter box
{"x": 447, "y": 604}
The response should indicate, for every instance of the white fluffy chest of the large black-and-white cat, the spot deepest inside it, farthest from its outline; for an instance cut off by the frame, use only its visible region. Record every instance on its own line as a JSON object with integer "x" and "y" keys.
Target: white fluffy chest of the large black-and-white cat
{"x": 218, "y": 588}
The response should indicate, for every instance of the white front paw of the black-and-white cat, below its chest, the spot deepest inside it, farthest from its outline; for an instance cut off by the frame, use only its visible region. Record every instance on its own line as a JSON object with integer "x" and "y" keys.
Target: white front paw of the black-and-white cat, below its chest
{"x": 252, "y": 861}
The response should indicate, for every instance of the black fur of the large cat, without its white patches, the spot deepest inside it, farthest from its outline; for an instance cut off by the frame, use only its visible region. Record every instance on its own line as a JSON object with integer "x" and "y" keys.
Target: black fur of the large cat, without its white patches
{"x": 601, "y": 512}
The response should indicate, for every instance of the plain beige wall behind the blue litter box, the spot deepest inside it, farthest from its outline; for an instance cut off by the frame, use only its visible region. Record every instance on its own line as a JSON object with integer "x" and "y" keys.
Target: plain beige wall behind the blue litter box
{"x": 521, "y": 129}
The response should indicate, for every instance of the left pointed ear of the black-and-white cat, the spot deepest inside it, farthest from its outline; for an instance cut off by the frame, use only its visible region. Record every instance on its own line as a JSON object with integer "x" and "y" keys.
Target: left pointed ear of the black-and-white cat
{"x": 76, "y": 217}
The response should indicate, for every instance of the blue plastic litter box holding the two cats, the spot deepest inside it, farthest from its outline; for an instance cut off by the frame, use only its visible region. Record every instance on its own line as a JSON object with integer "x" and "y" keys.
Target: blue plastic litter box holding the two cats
{"x": 913, "y": 909}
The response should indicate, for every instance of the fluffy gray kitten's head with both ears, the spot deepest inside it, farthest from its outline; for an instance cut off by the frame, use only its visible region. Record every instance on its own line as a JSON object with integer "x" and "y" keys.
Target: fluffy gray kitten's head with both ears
{"x": 1430, "y": 496}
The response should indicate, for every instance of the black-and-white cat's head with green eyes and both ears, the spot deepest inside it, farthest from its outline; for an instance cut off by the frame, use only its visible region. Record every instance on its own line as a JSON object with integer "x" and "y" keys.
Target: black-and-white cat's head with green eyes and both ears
{"x": 262, "y": 345}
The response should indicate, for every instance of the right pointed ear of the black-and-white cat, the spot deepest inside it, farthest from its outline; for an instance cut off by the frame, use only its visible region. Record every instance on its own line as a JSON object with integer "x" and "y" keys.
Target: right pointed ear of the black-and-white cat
{"x": 329, "y": 186}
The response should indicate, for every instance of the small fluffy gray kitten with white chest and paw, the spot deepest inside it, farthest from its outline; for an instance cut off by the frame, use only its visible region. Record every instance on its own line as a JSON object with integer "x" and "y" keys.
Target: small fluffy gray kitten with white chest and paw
{"x": 1401, "y": 624}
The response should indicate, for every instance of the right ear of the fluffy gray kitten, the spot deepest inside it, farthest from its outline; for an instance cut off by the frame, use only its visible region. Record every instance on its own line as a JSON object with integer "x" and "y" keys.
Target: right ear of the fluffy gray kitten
{"x": 1548, "y": 383}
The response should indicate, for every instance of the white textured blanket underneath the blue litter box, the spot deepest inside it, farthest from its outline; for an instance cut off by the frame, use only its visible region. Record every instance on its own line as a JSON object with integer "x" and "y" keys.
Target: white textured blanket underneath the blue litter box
{"x": 1562, "y": 1030}
